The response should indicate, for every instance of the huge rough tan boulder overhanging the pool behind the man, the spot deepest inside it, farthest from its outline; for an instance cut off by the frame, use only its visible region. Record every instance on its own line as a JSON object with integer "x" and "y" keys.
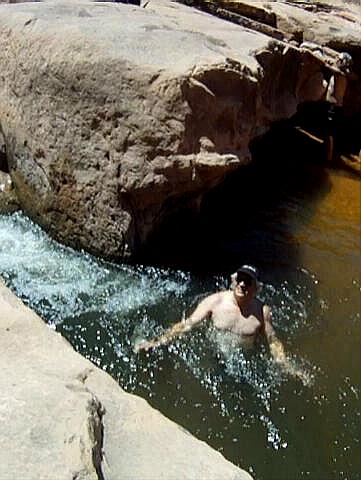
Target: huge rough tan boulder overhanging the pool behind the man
{"x": 115, "y": 115}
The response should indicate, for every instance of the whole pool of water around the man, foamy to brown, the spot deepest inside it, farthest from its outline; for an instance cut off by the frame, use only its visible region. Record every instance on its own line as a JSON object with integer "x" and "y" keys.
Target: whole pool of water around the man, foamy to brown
{"x": 307, "y": 243}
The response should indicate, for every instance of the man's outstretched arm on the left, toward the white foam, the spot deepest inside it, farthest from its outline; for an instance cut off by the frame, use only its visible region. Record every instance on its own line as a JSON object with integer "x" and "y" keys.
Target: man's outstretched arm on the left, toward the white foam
{"x": 202, "y": 312}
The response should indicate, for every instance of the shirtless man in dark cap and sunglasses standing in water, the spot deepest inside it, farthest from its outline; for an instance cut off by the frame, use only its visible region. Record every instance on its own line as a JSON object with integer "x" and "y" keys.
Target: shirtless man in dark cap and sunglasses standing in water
{"x": 237, "y": 311}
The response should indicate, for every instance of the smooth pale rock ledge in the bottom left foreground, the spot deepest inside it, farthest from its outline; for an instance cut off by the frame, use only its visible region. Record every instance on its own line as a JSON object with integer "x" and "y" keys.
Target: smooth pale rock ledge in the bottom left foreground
{"x": 63, "y": 419}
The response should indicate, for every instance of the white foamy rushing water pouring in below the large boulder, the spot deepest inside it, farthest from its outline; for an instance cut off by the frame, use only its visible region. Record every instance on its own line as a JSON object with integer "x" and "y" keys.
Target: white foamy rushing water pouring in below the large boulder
{"x": 61, "y": 282}
